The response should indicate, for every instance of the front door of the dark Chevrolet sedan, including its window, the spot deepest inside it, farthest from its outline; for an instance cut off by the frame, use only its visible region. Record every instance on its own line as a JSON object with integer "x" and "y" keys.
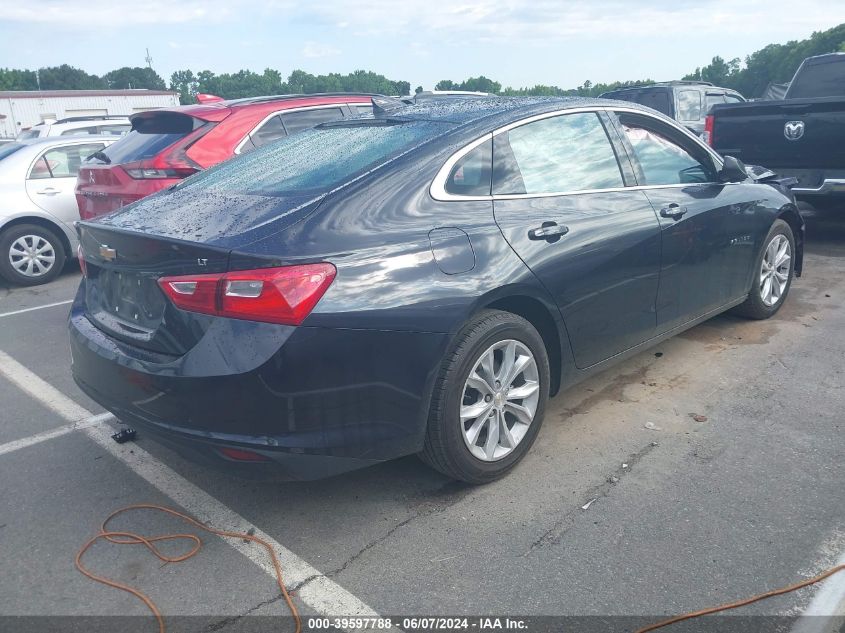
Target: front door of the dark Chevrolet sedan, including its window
{"x": 706, "y": 226}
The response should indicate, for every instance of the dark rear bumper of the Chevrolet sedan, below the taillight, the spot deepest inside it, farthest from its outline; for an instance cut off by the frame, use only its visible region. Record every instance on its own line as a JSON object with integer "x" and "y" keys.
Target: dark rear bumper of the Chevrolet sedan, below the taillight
{"x": 320, "y": 402}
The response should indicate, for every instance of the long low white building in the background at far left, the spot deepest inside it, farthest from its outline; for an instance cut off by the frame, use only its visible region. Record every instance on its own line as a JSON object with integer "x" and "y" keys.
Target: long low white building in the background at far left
{"x": 21, "y": 109}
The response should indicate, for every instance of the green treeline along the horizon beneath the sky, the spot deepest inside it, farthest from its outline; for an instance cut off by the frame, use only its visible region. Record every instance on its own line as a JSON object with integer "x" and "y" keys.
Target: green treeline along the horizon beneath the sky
{"x": 776, "y": 63}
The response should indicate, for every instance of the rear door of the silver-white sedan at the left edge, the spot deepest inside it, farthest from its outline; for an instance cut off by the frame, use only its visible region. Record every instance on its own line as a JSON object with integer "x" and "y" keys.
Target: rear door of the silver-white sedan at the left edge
{"x": 51, "y": 178}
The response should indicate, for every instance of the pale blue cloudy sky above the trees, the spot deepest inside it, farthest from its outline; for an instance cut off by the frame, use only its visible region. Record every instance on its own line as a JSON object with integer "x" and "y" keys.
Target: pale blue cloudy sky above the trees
{"x": 516, "y": 42}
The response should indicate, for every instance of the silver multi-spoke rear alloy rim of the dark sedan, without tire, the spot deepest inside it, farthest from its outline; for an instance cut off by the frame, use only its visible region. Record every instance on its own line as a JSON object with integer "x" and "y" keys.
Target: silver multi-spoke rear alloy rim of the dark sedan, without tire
{"x": 500, "y": 400}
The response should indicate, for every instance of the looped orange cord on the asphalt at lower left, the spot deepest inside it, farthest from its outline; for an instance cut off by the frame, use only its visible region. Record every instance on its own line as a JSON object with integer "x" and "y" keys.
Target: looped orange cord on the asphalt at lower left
{"x": 130, "y": 538}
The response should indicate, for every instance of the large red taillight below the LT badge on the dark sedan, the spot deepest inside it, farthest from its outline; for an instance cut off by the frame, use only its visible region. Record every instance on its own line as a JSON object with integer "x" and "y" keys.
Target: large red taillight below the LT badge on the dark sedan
{"x": 273, "y": 295}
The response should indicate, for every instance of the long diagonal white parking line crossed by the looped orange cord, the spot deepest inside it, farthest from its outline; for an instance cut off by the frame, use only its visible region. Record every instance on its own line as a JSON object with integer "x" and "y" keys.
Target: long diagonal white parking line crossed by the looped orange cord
{"x": 321, "y": 593}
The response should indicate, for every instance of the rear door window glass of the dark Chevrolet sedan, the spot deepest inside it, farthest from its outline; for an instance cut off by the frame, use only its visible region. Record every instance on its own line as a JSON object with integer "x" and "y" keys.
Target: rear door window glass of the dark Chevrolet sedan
{"x": 562, "y": 153}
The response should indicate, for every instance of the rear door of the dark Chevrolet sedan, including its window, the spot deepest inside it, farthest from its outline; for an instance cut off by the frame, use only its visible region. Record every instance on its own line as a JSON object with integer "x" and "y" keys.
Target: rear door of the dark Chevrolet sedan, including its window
{"x": 560, "y": 200}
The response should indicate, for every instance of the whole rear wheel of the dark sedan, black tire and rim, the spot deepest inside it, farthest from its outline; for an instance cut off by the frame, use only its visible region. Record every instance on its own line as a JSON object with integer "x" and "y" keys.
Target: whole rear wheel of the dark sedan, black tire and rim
{"x": 503, "y": 436}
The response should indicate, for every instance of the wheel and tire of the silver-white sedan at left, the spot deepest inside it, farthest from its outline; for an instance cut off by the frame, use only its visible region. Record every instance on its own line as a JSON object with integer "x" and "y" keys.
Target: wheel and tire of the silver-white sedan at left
{"x": 17, "y": 267}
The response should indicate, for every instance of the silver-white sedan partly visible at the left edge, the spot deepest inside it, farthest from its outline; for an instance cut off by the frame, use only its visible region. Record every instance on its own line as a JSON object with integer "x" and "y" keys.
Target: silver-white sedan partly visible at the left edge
{"x": 38, "y": 206}
